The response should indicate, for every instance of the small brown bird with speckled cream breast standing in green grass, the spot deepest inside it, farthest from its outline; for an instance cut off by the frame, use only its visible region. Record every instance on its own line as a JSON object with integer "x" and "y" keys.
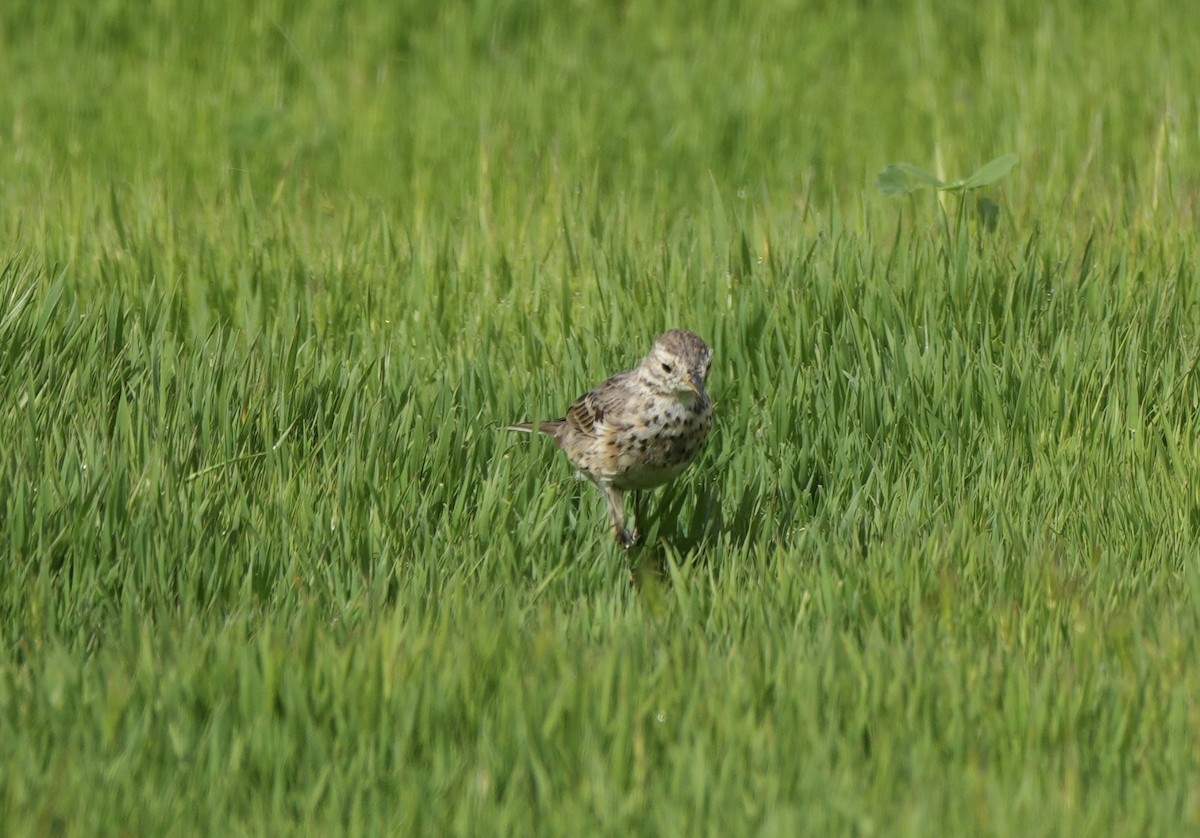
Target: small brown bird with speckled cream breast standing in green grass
{"x": 640, "y": 429}
